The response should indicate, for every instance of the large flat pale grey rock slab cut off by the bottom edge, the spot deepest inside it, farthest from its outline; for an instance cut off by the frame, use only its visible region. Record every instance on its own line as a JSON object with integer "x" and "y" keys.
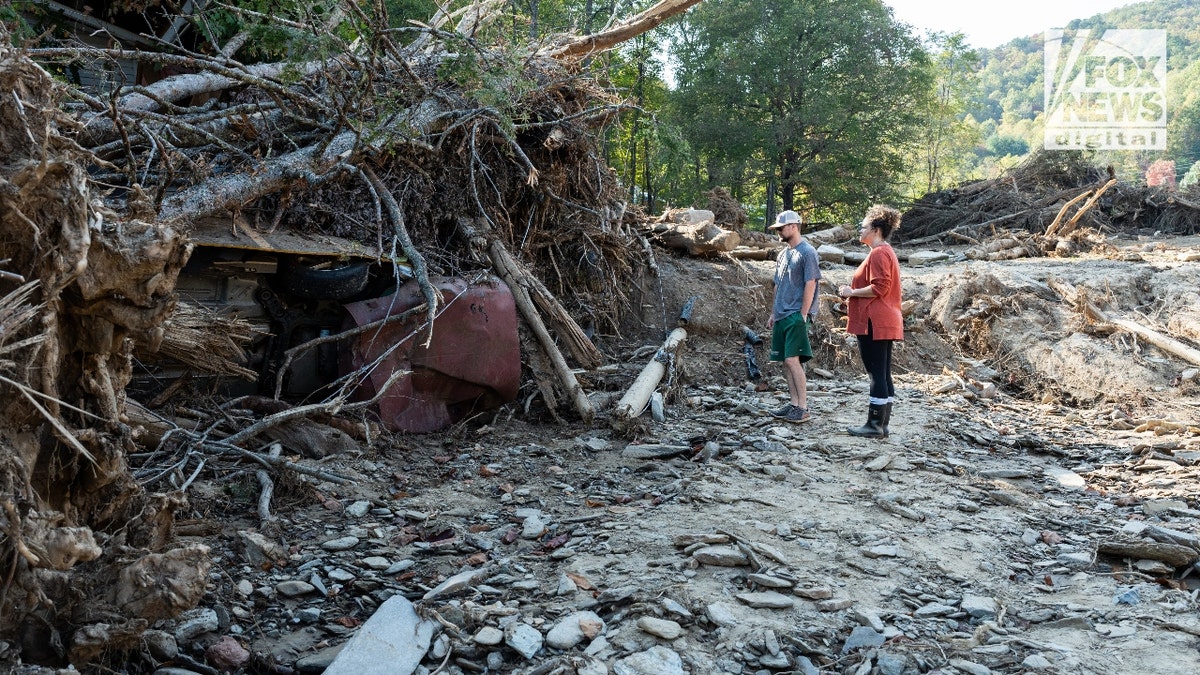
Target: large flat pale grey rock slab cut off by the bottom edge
{"x": 392, "y": 642}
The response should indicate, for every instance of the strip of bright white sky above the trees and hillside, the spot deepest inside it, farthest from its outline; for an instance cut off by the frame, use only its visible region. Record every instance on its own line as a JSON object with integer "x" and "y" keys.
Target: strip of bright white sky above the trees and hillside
{"x": 995, "y": 23}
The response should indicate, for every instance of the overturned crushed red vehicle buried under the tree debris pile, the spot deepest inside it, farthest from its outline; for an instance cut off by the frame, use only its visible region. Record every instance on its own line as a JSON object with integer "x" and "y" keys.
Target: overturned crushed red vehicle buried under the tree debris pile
{"x": 296, "y": 290}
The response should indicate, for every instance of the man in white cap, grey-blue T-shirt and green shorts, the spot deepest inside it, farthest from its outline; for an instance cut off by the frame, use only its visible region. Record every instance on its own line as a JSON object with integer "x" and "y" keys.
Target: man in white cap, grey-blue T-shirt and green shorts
{"x": 797, "y": 272}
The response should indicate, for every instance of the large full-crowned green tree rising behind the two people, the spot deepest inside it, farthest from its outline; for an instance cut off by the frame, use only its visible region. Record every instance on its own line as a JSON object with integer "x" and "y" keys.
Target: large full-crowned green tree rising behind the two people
{"x": 817, "y": 99}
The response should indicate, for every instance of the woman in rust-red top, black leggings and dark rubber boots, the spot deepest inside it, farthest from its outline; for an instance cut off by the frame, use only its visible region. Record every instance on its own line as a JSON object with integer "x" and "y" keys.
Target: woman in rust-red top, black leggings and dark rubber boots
{"x": 875, "y": 318}
